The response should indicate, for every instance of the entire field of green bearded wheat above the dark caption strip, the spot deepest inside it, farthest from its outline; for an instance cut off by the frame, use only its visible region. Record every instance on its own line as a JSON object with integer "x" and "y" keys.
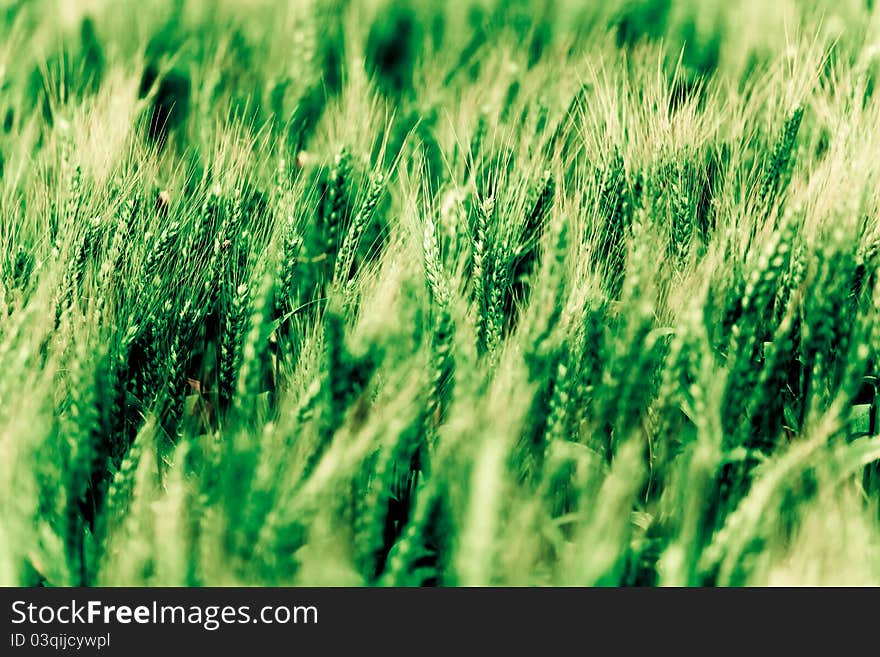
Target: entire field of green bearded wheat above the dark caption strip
{"x": 377, "y": 292}
